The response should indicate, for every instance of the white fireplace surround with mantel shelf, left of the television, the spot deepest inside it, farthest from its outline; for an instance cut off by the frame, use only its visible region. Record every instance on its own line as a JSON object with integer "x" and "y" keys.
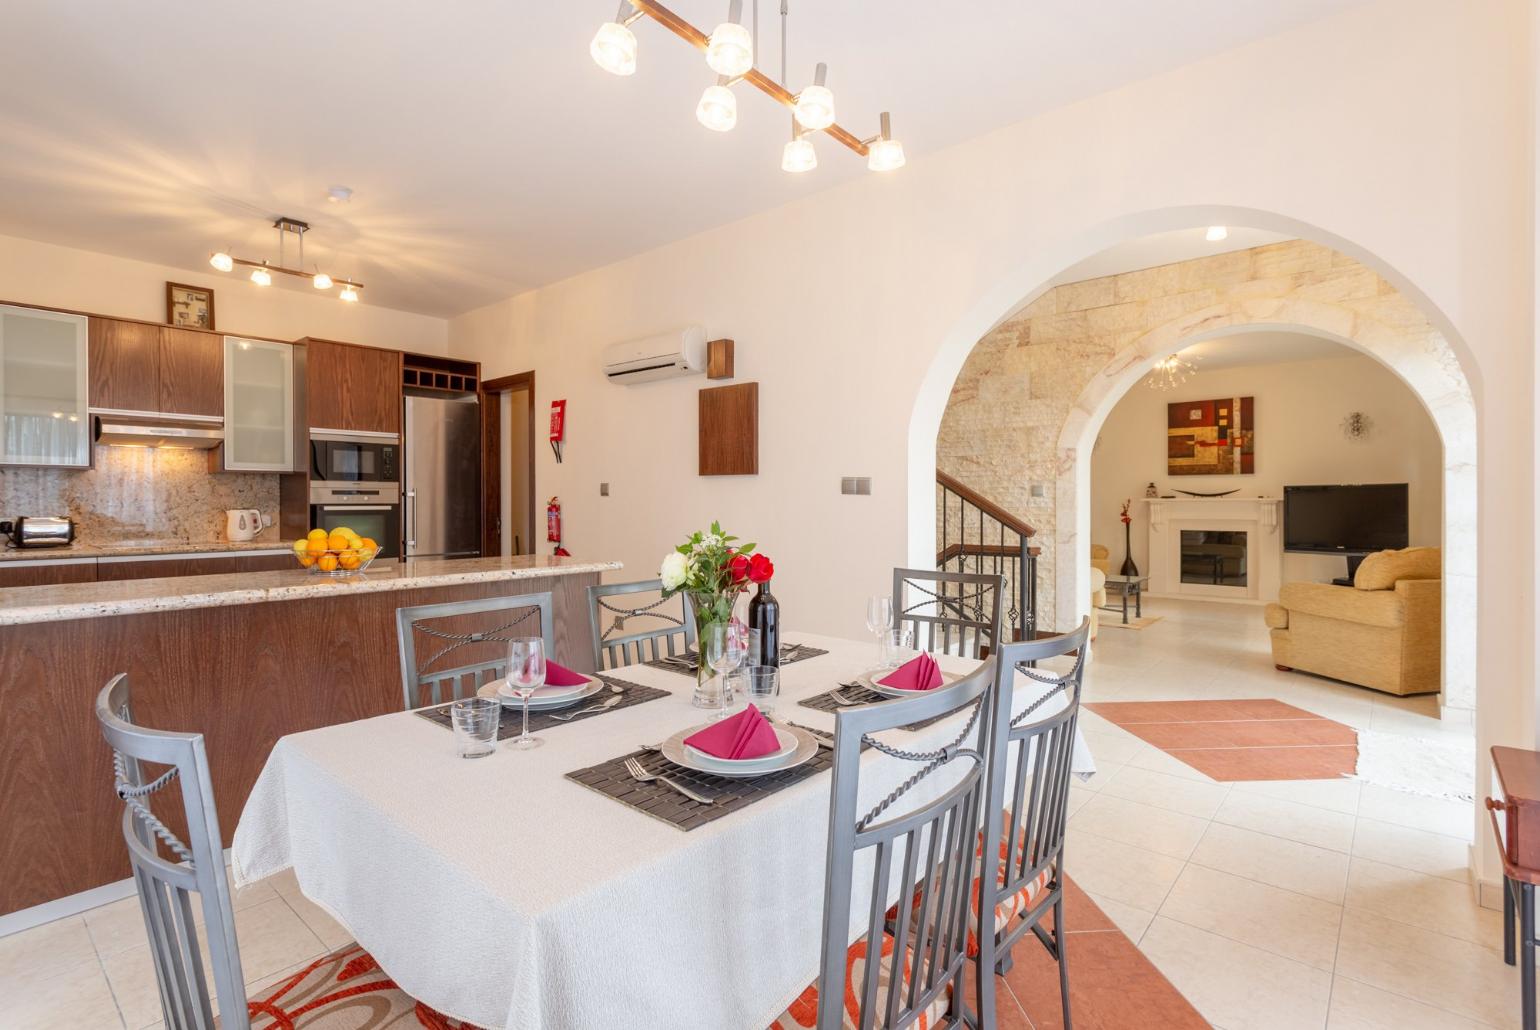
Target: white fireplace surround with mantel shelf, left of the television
{"x": 1254, "y": 517}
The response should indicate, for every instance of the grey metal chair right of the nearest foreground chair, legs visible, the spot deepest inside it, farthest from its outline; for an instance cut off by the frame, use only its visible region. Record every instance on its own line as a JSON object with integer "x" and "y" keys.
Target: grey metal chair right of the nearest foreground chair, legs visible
{"x": 1028, "y": 806}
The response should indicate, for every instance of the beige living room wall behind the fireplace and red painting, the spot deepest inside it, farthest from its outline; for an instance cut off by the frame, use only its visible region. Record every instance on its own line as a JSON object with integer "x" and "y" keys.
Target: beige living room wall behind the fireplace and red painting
{"x": 1301, "y": 406}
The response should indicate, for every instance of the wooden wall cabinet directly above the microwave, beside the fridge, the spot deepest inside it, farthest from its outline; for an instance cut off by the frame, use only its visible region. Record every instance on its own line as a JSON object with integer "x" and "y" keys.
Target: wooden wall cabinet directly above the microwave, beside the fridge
{"x": 352, "y": 389}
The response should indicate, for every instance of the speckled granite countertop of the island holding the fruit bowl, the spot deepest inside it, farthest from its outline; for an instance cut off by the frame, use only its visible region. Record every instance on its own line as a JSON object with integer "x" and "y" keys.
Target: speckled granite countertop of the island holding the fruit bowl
{"x": 65, "y": 603}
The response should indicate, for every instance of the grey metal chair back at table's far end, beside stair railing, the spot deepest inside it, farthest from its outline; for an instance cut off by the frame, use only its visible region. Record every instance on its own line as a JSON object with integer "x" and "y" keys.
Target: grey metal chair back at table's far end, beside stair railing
{"x": 954, "y": 614}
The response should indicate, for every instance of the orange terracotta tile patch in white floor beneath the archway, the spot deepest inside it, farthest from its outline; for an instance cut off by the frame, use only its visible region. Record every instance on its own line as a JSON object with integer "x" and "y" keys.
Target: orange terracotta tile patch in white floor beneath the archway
{"x": 1240, "y": 740}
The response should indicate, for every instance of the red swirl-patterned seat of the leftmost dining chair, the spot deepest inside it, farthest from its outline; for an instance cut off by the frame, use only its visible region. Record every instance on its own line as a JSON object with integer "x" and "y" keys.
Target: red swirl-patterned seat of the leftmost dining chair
{"x": 344, "y": 991}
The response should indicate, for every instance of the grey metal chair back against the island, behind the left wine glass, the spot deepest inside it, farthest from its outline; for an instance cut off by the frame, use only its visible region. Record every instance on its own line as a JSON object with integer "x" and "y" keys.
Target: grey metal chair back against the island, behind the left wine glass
{"x": 432, "y": 681}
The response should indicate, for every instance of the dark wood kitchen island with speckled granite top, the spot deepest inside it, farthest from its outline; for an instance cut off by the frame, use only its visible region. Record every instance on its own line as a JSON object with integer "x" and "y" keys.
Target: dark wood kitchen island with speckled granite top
{"x": 243, "y": 658}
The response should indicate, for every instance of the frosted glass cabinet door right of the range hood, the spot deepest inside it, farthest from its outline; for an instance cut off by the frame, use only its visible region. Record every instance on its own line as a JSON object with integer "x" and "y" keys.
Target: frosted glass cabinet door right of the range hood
{"x": 259, "y": 406}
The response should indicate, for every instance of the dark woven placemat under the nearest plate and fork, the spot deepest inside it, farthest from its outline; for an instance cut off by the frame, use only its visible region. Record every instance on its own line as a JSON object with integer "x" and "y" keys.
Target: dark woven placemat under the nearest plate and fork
{"x": 665, "y": 803}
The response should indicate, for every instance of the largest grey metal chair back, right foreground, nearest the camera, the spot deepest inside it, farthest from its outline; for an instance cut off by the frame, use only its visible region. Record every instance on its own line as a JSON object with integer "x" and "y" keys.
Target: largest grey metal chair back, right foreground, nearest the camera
{"x": 931, "y": 843}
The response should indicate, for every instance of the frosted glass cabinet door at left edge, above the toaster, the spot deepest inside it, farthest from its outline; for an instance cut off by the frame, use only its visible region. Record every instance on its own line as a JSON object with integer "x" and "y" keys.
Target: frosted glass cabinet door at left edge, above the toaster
{"x": 44, "y": 389}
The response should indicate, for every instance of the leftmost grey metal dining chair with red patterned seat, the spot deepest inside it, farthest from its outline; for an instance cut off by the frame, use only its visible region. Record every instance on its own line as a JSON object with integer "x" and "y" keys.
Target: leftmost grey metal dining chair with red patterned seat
{"x": 178, "y": 854}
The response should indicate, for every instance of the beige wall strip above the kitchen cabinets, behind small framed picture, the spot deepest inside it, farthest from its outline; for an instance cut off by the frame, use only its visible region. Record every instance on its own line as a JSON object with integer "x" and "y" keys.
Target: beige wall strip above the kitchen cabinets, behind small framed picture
{"x": 84, "y": 281}
